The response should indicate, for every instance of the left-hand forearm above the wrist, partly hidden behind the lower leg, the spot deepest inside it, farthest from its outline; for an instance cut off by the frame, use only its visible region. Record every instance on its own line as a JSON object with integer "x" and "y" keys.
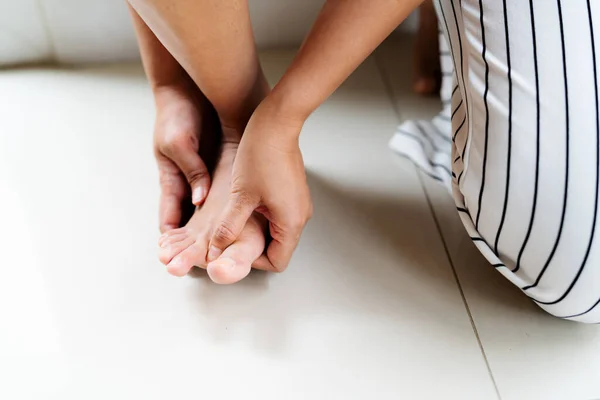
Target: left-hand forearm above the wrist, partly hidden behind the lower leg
{"x": 160, "y": 66}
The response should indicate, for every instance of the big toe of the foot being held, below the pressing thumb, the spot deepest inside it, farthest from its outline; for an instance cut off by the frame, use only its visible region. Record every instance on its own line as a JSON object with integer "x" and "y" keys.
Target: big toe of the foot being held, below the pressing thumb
{"x": 236, "y": 261}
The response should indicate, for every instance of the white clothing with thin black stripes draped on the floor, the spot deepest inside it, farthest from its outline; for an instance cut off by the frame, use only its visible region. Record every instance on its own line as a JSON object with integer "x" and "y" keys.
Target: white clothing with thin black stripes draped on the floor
{"x": 518, "y": 142}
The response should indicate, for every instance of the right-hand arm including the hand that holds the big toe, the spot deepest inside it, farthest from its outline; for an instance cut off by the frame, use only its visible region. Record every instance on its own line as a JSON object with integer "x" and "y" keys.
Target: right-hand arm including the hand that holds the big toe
{"x": 268, "y": 174}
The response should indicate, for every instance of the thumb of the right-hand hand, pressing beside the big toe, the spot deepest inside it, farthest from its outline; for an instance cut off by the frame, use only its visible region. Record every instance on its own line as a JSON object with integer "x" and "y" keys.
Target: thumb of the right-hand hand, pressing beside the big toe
{"x": 233, "y": 220}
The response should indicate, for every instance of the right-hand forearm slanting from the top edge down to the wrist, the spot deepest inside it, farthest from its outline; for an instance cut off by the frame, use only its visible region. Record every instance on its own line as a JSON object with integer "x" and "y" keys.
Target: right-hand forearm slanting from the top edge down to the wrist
{"x": 344, "y": 34}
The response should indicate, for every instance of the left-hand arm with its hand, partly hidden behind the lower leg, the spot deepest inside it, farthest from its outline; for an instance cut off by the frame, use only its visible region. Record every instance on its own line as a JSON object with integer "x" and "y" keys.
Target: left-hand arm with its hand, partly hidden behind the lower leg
{"x": 181, "y": 109}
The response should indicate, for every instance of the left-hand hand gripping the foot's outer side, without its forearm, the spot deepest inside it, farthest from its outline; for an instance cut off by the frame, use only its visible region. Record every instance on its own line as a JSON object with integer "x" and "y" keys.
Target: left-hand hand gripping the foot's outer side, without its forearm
{"x": 177, "y": 134}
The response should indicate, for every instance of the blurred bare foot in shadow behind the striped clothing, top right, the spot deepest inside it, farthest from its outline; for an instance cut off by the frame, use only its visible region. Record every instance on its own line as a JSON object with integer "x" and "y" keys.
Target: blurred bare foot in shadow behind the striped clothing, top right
{"x": 426, "y": 53}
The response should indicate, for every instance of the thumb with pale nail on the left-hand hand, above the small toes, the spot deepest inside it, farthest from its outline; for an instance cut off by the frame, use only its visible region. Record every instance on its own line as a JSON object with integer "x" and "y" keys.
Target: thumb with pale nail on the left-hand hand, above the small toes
{"x": 195, "y": 171}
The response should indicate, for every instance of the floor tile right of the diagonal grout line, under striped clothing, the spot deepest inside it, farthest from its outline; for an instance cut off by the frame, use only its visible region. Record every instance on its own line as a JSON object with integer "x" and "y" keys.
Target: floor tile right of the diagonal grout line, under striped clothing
{"x": 531, "y": 354}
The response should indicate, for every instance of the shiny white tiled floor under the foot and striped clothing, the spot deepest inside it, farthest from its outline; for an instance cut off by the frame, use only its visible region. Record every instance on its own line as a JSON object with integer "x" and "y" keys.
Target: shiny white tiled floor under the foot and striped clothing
{"x": 373, "y": 305}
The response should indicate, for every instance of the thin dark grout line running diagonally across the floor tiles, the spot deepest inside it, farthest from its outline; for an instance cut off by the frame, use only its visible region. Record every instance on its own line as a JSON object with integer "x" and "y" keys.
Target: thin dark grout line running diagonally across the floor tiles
{"x": 390, "y": 93}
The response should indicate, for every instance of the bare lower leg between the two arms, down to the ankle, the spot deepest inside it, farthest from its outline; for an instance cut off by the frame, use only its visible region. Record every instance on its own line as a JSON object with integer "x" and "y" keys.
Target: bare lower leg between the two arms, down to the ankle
{"x": 213, "y": 41}
